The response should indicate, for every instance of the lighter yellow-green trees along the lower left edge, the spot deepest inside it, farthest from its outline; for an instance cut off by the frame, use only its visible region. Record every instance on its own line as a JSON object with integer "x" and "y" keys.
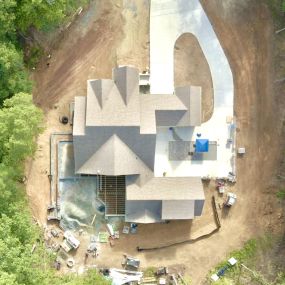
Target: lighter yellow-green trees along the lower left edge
{"x": 20, "y": 123}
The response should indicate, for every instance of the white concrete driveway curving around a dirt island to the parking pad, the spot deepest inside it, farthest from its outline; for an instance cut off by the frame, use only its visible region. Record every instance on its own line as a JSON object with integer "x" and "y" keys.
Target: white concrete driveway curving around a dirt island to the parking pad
{"x": 168, "y": 20}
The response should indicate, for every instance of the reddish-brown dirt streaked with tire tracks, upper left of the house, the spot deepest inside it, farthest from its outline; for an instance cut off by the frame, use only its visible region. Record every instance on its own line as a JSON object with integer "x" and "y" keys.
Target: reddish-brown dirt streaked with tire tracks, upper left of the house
{"x": 68, "y": 71}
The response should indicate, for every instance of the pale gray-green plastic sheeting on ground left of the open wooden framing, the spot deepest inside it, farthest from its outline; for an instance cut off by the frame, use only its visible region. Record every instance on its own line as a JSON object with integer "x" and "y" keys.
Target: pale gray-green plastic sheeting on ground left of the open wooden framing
{"x": 77, "y": 194}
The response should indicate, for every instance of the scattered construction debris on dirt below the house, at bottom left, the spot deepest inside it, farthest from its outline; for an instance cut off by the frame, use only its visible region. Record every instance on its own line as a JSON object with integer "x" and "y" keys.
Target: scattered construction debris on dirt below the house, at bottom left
{"x": 65, "y": 243}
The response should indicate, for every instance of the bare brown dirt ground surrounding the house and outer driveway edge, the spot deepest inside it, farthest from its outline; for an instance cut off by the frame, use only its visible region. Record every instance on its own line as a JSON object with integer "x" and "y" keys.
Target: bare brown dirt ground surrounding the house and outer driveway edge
{"x": 90, "y": 49}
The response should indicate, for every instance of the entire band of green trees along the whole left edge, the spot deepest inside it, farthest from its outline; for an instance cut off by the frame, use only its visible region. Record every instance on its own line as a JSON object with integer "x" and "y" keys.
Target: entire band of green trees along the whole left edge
{"x": 20, "y": 123}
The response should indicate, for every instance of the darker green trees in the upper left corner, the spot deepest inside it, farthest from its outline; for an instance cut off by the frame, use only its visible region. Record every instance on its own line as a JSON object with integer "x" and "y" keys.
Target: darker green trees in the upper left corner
{"x": 16, "y": 18}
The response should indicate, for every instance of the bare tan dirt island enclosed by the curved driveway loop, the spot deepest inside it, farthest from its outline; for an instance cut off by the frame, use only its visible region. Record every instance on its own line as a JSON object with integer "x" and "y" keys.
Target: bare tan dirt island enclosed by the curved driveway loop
{"x": 192, "y": 68}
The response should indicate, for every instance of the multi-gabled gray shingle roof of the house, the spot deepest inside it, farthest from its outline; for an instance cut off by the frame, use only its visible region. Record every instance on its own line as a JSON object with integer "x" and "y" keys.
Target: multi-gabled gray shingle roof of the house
{"x": 114, "y": 133}
